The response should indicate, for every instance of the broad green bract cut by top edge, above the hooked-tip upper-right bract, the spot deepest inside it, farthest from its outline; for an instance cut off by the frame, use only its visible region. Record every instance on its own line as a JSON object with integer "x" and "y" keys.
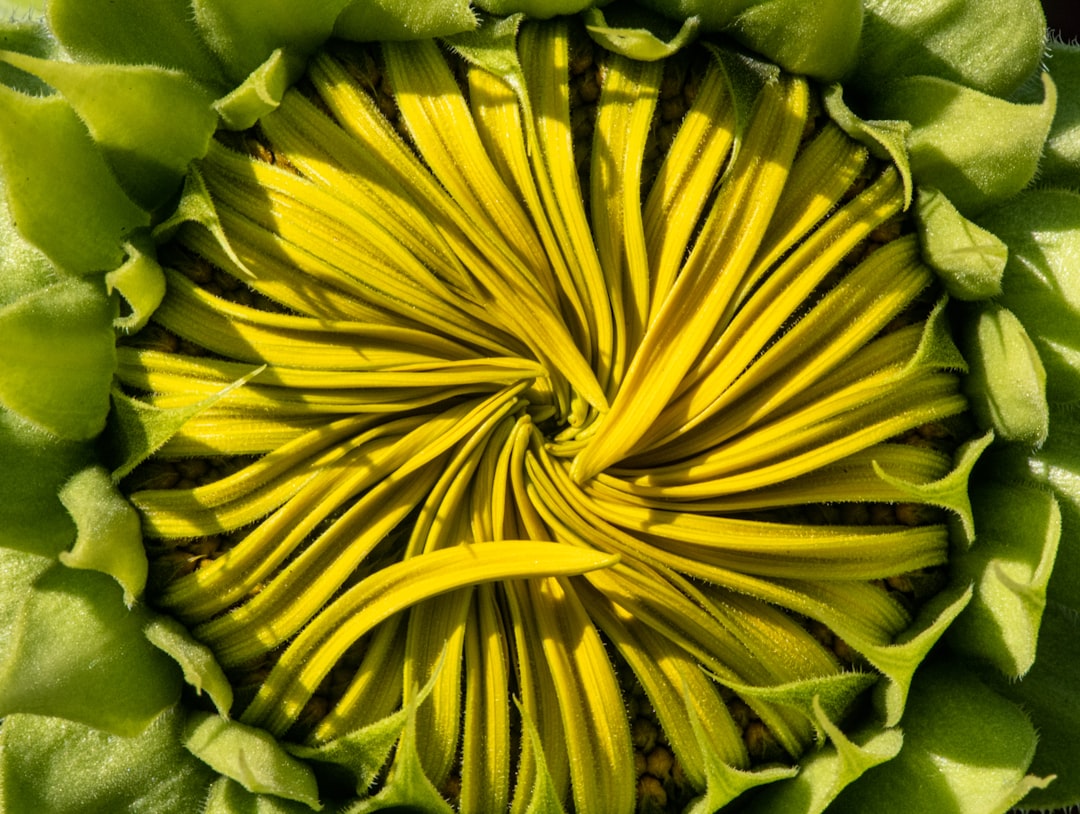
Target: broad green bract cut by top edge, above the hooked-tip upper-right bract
{"x": 991, "y": 46}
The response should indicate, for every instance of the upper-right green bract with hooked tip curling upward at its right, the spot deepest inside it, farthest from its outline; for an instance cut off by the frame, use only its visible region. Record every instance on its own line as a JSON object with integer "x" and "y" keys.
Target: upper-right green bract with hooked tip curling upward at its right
{"x": 976, "y": 148}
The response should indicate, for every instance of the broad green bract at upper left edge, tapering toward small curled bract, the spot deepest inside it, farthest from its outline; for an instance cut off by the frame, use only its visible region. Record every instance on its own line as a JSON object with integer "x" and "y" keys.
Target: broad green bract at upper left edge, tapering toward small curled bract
{"x": 56, "y": 174}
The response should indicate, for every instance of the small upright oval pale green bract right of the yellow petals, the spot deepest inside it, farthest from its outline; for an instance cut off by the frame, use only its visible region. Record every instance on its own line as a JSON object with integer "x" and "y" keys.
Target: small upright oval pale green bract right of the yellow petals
{"x": 1007, "y": 384}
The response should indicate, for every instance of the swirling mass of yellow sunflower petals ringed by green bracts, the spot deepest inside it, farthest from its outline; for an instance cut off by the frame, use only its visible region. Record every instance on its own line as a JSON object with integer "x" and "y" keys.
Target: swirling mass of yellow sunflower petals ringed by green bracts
{"x": 515, "y": 401}
